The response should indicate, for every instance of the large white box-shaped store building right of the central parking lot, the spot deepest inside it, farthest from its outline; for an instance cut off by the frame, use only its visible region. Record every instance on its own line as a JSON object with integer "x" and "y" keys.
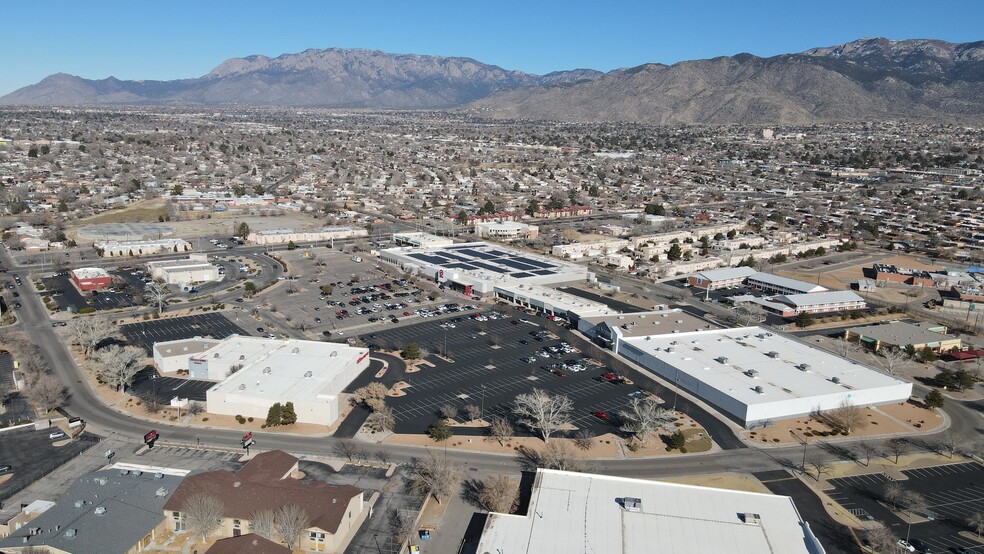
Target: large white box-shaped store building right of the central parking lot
{"x": 758, "y": 376}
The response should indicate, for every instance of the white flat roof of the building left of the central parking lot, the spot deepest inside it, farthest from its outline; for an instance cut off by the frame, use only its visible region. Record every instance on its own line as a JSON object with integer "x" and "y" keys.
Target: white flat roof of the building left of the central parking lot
{"x": 293, "y": 369}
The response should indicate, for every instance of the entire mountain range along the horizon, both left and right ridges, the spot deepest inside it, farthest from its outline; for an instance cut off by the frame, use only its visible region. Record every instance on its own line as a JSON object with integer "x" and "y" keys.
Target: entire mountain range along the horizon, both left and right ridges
{"x": 868, "y": 79}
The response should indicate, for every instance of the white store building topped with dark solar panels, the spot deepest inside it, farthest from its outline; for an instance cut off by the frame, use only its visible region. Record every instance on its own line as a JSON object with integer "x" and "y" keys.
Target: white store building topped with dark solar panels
{"x": 478, "y": 267}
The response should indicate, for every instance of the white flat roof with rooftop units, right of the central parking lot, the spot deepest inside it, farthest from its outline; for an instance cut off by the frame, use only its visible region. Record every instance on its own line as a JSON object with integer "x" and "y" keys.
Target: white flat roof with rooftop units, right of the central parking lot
{"x": 699, "y": 355}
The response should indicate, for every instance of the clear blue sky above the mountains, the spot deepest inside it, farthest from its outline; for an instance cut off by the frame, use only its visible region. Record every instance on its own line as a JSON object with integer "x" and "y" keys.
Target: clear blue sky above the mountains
{"x": 173, "y": 39}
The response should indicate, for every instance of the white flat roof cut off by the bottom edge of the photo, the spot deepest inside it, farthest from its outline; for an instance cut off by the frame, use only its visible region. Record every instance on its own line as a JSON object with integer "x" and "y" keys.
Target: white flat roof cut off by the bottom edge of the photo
{"x": 583, "y": 513}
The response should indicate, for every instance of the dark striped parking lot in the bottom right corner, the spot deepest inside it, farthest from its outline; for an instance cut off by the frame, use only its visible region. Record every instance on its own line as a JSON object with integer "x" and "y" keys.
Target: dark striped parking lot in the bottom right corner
{"x": 953, "y": 493}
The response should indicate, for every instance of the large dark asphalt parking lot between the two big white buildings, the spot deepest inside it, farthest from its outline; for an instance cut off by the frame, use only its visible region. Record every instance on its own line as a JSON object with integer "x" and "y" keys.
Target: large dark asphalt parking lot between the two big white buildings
{"x": 489, "y": 371}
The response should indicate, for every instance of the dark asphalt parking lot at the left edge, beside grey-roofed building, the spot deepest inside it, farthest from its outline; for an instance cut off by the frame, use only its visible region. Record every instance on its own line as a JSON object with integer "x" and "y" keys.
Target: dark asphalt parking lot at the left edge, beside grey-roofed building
{"x": 32, "y": 455}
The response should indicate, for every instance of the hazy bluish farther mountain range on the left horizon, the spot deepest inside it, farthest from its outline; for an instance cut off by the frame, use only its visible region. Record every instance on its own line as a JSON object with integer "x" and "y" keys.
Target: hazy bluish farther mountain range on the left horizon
{"x": 340, "y": 78}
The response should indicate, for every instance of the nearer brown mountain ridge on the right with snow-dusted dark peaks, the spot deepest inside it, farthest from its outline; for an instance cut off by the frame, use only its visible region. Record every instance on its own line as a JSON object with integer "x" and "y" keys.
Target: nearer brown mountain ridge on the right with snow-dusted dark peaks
{"x": 868, "y": 79}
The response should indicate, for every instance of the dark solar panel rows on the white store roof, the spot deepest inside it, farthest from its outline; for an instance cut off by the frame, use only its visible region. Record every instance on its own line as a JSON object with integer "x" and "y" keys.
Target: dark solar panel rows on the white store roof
{"x": 471, "y": 258}
